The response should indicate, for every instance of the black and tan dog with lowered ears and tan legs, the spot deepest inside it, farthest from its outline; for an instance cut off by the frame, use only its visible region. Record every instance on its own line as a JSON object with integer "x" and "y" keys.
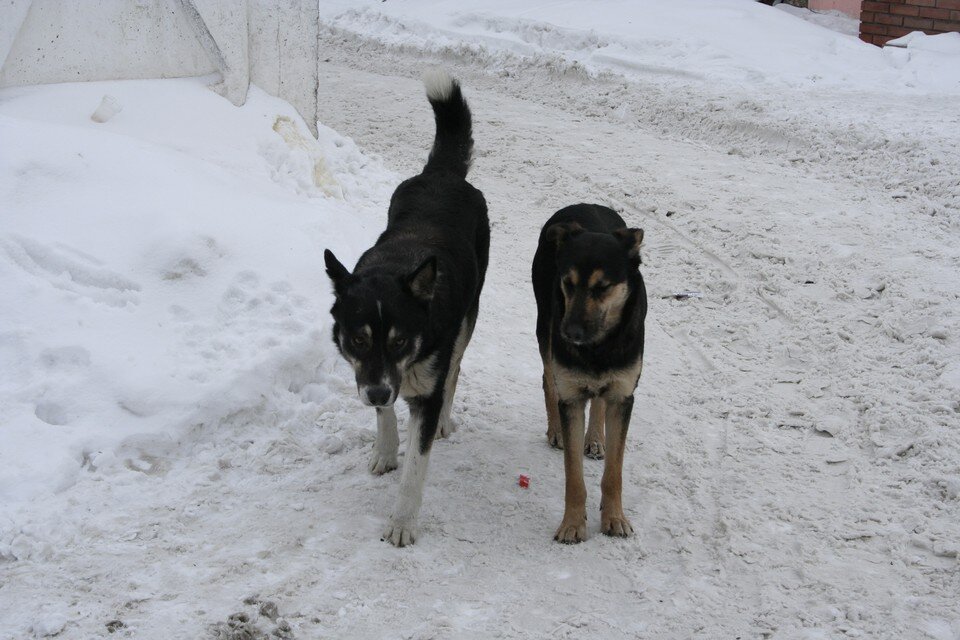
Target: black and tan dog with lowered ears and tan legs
{"x": 591, "y": 306}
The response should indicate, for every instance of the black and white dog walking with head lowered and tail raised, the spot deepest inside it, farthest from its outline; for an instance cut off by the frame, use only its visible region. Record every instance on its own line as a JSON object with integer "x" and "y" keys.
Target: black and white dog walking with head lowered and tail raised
{"x": 403, "y": 318}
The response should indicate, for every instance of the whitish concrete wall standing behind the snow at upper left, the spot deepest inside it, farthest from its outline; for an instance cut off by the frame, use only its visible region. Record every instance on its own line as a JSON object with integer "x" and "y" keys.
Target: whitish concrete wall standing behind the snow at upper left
{"x": 272, "y": 43}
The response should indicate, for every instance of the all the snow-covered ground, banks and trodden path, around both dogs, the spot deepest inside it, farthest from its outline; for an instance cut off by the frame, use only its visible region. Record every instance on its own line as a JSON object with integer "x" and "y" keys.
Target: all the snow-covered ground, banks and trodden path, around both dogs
{"x": 180, "y": 442}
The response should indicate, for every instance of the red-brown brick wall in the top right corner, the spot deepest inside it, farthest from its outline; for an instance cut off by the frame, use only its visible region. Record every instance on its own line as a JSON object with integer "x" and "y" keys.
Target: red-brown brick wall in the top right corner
{"x": 887, "y": 19}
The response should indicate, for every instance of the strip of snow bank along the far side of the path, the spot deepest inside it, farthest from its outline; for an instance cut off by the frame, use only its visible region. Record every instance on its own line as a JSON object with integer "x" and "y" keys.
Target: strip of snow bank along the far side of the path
{"x": 728, "y": 42}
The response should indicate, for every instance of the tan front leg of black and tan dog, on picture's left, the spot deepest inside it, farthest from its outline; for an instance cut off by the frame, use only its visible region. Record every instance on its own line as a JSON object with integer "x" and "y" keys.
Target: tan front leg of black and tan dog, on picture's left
{"x": 573, "y": 528}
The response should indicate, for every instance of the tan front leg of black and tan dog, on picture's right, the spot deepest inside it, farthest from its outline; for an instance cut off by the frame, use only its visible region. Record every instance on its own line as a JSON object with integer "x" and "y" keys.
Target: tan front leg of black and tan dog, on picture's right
{"x": 612, "y": 520}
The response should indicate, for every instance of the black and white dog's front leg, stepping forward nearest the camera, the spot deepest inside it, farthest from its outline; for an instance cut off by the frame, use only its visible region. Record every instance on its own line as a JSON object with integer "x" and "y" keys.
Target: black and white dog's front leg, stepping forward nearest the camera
{"x": 421, "y": 429}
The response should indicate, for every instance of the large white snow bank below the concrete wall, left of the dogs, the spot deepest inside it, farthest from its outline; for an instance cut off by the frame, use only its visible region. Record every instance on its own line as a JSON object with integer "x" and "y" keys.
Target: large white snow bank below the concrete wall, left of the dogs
{"x": 162, "y": 269}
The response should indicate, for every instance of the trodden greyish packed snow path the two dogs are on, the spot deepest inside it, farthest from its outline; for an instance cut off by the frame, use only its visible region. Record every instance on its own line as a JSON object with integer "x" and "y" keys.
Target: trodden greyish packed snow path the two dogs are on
{"x": 793, "y": 459}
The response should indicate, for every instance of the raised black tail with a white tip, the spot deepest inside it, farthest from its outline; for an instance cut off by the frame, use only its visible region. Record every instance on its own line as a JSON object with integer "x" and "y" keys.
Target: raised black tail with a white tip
{"x": 453, "y": 143}
